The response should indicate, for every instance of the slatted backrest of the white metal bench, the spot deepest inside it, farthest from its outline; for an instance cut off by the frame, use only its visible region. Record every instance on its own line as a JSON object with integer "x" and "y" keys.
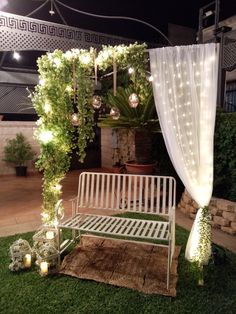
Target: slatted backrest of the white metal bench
{"x": 134, "y": 193}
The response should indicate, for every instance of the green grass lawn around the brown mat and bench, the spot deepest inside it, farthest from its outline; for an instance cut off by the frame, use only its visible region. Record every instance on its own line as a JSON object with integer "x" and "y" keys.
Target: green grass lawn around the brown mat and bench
{"x": 28, "y": 292}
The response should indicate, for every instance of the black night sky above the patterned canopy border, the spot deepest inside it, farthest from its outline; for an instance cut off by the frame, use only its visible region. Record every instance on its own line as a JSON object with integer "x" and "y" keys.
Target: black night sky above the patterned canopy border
{"x": 157, "y": 13}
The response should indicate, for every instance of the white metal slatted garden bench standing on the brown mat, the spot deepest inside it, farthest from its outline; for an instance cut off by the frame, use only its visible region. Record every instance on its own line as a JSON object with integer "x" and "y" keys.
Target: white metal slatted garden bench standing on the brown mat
{"x": 124, "y": 192}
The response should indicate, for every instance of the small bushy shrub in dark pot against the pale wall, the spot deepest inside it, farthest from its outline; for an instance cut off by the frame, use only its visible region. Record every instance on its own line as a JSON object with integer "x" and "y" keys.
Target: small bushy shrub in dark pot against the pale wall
{"x": 17, "y": 152}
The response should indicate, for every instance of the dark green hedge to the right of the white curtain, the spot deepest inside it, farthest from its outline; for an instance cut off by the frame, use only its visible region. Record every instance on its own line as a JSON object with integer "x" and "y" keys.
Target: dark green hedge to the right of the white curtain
{"x": 225, "y": 156}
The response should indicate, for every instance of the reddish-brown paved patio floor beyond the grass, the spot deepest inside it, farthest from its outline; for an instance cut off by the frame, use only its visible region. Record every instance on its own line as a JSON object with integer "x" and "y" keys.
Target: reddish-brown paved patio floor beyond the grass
{"x": 20, "y": 207}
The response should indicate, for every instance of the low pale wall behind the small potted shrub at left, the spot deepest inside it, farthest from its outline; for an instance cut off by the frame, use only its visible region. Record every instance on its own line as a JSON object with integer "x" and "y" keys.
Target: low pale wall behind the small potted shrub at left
{"x": 8, "y": 130}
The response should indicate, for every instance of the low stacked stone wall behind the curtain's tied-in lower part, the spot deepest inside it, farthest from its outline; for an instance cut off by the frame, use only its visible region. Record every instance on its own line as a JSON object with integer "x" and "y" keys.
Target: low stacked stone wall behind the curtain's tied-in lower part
{"x": 223, "y": 212}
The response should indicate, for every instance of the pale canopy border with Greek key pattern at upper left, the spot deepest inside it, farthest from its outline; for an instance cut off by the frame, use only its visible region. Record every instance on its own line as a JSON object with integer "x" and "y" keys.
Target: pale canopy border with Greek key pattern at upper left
{"x": 23, "y": 33}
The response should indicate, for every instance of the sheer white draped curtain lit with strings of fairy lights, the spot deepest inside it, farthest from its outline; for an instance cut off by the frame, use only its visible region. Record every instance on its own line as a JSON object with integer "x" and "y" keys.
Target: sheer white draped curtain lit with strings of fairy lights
{"x": 185, "y": 89}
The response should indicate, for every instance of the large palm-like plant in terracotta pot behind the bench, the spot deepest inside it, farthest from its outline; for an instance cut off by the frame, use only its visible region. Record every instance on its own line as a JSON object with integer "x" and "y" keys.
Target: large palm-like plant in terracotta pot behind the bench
{"x": 142, "y": 119}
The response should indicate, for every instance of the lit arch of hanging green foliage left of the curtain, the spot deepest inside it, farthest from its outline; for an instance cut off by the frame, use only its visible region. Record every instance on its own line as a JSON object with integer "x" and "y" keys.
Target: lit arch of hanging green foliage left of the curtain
{"x": 66, "y": 86}
